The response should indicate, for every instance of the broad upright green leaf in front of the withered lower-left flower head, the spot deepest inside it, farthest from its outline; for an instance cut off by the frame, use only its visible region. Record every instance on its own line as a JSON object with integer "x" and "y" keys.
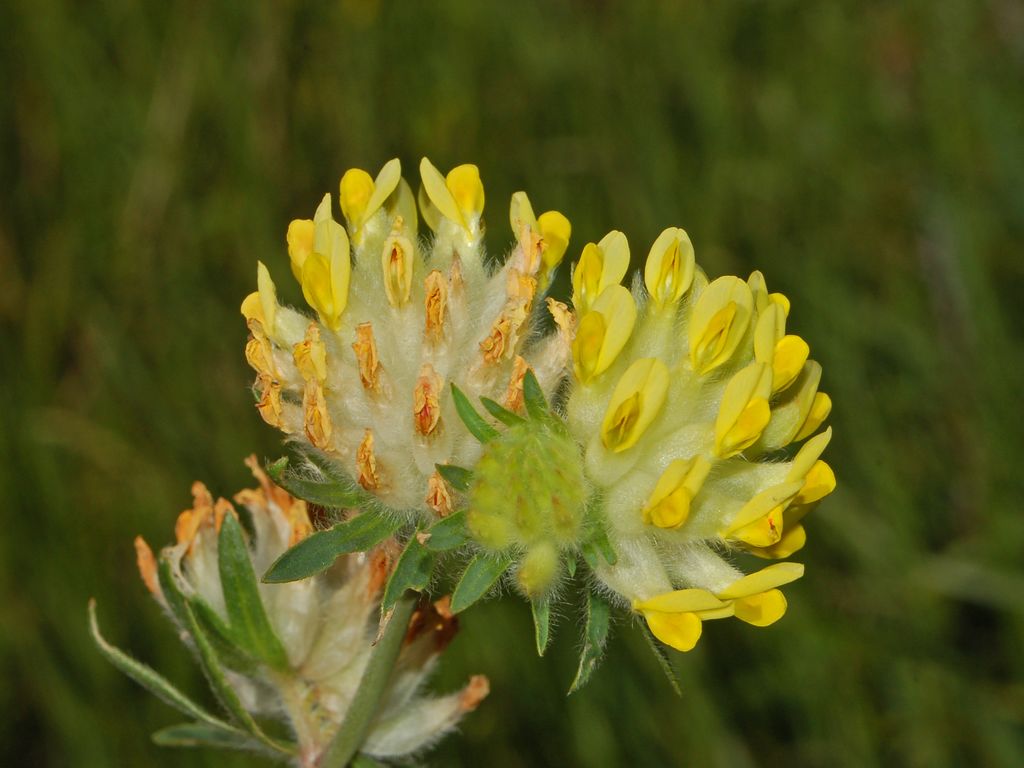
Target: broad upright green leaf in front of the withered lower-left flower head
{"x": 247, "y": 617}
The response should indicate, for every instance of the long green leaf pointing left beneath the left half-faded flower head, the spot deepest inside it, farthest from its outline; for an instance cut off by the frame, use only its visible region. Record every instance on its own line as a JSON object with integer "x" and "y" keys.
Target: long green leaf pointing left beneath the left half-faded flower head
{"x": 319, "y": 551}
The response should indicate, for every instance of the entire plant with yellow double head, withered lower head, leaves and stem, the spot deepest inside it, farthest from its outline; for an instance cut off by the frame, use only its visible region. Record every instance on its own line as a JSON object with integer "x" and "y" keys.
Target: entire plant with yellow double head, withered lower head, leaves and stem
{"x": 635, "y": 455}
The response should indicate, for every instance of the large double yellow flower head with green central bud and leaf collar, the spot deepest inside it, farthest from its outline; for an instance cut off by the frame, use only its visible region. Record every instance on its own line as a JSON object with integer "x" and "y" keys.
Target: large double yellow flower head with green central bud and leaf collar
{"x": 649, "y": 437}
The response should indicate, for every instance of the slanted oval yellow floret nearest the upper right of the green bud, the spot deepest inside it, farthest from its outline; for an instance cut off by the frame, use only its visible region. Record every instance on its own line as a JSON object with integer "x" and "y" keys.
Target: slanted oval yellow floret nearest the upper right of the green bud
{"x": 636, "y": 401}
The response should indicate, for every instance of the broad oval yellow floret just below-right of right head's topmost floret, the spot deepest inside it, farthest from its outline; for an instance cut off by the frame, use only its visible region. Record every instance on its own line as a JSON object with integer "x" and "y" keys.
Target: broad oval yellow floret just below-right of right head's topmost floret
{"x": 719, "y": 323}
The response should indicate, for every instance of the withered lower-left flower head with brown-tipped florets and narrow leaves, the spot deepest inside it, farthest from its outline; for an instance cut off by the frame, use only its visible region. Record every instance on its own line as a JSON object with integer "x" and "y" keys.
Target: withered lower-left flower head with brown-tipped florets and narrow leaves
{"x": 288, "y": 663}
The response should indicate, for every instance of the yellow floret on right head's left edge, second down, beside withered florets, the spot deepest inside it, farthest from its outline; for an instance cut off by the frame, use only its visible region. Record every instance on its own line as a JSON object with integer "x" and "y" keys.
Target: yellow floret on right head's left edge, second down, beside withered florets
{"x": 604, "y": 332}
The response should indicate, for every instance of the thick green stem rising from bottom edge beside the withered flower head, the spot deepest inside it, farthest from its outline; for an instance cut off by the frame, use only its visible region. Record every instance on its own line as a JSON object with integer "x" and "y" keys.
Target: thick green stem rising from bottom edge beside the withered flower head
{"x": 368, "y": 698}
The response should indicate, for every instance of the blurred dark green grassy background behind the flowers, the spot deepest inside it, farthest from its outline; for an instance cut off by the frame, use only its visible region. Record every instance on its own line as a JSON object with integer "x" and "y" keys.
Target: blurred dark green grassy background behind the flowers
{"x": 867, "y": 156}
